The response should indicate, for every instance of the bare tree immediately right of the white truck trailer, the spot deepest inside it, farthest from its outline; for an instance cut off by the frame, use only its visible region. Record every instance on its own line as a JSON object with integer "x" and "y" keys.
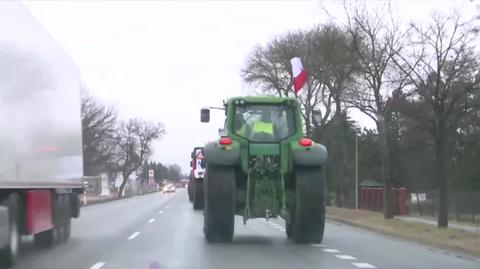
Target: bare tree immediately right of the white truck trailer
{"x": 98, "y": 128}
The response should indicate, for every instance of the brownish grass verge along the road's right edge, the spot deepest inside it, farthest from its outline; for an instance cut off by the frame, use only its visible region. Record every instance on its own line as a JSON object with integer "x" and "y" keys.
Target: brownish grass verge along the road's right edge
{"x": 423, "y": 233}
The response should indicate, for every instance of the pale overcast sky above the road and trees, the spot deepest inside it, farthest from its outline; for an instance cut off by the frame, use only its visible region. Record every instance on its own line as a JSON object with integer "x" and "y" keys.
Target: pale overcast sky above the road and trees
{"x": 163, "y": 61}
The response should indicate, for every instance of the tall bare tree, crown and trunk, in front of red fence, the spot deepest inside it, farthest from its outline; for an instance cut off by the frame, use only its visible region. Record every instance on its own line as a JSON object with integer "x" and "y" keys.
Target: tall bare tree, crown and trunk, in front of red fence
{"x": 376, "y": 40}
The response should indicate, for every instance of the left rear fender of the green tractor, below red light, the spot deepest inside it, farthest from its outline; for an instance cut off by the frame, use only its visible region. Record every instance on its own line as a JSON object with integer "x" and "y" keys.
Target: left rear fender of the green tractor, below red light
{"x": 218, "y": 154}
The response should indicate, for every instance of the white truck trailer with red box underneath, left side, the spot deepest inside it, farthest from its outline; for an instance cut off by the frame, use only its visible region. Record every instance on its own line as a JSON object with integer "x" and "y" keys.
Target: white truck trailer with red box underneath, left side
{"x": 41, "y": 163}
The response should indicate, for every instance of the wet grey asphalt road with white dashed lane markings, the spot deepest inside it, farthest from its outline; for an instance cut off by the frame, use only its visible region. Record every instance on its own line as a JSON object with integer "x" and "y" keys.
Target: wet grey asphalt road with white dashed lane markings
{"x": 158, "y": 231}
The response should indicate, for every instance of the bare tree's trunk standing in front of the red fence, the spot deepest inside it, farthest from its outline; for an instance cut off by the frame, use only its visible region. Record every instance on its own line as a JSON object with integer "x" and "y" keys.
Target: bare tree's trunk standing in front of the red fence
{"x": 385, "y": 167}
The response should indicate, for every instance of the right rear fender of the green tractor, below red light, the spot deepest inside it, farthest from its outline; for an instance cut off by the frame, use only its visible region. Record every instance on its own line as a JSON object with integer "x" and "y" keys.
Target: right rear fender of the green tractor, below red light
{"x": 315, "y": 155}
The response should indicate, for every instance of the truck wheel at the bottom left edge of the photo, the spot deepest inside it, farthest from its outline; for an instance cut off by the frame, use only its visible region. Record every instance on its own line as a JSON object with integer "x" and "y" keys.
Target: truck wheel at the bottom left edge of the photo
{"x": 10, "y": 253}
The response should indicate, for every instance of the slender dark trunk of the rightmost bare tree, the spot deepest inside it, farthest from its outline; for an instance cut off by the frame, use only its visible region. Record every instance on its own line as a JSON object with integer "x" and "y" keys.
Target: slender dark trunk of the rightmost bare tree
{"x": 440, "y": 151}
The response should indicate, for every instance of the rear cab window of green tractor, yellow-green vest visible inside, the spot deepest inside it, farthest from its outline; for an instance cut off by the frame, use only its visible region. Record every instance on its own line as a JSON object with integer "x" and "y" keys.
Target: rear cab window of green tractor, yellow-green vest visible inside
{"x": 264, "y": 123}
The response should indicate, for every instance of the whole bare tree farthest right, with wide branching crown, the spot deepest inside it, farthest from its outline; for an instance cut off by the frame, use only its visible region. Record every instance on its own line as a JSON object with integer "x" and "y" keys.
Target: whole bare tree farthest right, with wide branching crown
{"x": 444, "y": 67}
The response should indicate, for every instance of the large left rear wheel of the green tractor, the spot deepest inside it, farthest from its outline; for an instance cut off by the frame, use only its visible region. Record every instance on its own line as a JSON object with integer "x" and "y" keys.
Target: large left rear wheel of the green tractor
{"x": 219, "y": 213}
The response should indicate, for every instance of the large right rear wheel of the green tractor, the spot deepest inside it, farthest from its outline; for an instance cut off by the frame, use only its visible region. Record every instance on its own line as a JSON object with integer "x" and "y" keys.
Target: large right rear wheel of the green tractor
{"x": 309, "y": 219}
